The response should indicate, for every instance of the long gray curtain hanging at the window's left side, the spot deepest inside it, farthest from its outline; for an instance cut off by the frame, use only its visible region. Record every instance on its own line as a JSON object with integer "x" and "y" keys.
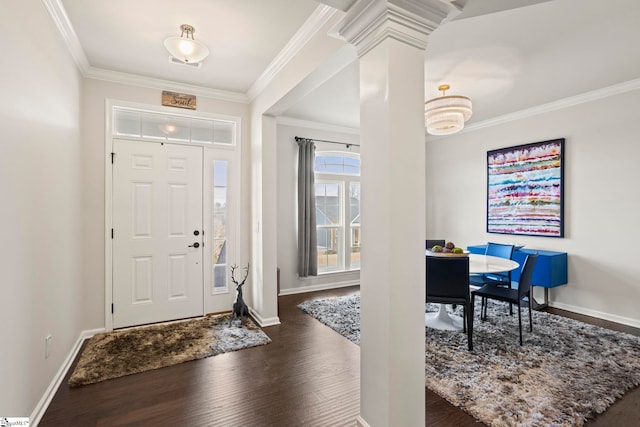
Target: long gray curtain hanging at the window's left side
{"x": 307, "y": 238}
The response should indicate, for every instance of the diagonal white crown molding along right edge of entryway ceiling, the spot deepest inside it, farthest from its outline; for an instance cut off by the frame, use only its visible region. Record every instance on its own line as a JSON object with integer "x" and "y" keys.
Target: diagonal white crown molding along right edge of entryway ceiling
{"x": 321, "y": 15}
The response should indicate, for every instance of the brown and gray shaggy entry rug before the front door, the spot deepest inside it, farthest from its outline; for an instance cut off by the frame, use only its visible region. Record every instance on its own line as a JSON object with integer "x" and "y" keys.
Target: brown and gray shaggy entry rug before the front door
{"x": 133, "y": 350}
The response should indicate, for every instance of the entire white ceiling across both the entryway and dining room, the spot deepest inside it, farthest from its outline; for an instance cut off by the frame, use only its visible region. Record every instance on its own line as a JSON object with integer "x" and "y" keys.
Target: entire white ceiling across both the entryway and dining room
{"x": 507, "y": 55}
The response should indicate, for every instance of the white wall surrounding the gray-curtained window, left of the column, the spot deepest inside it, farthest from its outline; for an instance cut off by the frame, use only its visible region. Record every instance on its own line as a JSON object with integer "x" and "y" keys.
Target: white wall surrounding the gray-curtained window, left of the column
{"x": 287, "y": 158}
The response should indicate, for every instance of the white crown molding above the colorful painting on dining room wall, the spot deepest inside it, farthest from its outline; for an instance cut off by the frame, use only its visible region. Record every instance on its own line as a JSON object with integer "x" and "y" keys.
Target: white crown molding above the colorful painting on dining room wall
{"x": 560, "y": 104}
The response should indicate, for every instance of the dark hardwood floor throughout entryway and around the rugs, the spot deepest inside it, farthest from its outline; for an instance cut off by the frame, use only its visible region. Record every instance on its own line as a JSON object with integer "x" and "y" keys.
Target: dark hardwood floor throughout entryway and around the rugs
{"x": 308, "y": 376}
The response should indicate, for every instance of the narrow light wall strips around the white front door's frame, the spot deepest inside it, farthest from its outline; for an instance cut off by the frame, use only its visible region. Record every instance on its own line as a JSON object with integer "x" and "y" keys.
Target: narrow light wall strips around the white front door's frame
{"x": 95, "y": 94}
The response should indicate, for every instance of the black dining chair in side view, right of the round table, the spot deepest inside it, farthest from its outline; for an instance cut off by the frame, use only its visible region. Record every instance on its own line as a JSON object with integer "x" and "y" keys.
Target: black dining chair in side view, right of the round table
{"x": 509, "y": 294}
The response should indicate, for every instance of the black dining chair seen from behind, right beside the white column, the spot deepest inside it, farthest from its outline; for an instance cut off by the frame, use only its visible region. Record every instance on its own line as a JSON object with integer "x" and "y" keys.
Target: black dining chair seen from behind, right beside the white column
{"x": 448, "y": 283}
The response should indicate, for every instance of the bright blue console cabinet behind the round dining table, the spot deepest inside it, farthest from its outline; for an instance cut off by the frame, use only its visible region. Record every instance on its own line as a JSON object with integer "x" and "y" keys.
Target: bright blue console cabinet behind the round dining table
{"x": 550, "y": 269}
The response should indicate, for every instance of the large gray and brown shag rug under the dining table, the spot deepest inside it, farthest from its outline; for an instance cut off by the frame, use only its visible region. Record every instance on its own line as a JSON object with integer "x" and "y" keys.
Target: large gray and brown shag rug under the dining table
{"x": 566, "y": 372}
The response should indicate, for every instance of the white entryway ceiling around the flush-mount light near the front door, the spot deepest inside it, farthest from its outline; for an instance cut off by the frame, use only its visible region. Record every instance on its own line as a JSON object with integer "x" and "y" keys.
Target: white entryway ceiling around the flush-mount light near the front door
{"x": 243, "y": 36}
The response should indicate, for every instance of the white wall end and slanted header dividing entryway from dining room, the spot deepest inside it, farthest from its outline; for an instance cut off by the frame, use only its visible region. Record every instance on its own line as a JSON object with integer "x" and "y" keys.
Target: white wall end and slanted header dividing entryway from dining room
{"x": 289, "y": 85}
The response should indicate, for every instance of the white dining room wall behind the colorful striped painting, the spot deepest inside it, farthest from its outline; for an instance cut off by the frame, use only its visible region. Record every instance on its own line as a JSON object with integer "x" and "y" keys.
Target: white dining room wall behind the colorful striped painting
{"x": 602, "y": 199}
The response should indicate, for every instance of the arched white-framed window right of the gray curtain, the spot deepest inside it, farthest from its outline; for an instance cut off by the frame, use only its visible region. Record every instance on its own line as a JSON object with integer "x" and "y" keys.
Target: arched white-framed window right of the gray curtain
{"x": 337, "y": 187}
